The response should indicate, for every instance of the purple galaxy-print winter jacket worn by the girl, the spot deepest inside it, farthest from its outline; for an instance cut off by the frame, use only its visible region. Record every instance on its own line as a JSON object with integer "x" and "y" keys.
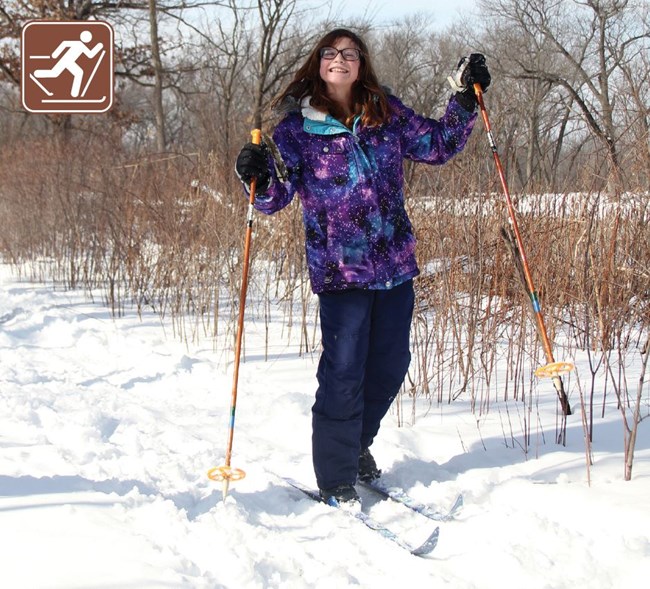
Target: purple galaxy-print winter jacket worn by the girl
{"x": 357, "y": 232}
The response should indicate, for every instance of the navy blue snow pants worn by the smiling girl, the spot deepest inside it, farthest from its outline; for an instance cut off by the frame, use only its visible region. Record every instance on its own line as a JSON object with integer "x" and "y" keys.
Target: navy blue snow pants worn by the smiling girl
{"x": 366, "y": 354}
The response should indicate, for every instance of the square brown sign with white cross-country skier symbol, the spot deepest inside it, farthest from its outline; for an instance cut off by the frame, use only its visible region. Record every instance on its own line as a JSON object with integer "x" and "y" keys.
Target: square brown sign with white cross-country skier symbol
{"x": 67, "y": 66}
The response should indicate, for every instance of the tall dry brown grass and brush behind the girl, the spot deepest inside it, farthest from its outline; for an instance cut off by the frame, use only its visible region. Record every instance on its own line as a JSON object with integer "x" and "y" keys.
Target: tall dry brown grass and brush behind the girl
{"x": 167, "y": 233}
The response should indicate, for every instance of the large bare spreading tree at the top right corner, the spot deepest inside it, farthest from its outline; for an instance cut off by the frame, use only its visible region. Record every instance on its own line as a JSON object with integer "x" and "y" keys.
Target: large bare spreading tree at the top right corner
{"x": 579, "y": 46}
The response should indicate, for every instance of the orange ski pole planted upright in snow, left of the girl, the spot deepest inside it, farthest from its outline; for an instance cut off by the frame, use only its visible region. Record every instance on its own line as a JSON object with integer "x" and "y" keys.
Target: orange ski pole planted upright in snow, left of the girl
{"x": 226, "y": 473}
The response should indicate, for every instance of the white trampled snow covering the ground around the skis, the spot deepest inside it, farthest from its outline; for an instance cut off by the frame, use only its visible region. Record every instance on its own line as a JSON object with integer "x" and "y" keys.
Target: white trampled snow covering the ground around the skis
{"x": 109, "y": 426}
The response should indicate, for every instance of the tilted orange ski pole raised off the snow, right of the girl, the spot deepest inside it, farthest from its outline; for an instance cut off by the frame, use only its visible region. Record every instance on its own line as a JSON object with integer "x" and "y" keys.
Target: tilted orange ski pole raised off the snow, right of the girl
{"x": 552, "y": 368}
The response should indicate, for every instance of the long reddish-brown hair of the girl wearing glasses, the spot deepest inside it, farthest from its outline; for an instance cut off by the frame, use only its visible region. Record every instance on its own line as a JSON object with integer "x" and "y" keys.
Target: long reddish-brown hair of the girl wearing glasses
{"x": 368, "y": 98}
